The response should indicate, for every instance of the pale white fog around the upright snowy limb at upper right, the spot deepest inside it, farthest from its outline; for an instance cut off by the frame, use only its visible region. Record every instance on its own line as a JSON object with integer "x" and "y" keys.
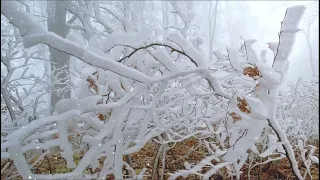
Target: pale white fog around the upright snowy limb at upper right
{"x": 261, "y": 20}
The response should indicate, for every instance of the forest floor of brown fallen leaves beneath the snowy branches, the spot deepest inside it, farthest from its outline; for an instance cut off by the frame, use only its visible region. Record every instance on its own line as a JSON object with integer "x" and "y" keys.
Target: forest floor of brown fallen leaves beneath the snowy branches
{"x": 188, "y": 150}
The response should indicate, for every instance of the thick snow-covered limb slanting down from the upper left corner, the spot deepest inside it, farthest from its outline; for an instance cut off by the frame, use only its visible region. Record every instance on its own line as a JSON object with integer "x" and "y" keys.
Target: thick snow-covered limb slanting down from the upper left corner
{"x": 33, "y": 34}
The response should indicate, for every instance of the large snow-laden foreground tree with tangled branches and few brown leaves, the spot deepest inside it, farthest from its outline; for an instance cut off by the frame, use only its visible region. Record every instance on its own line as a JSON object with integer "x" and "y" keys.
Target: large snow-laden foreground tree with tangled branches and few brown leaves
{"x": 140, "y": 82}
